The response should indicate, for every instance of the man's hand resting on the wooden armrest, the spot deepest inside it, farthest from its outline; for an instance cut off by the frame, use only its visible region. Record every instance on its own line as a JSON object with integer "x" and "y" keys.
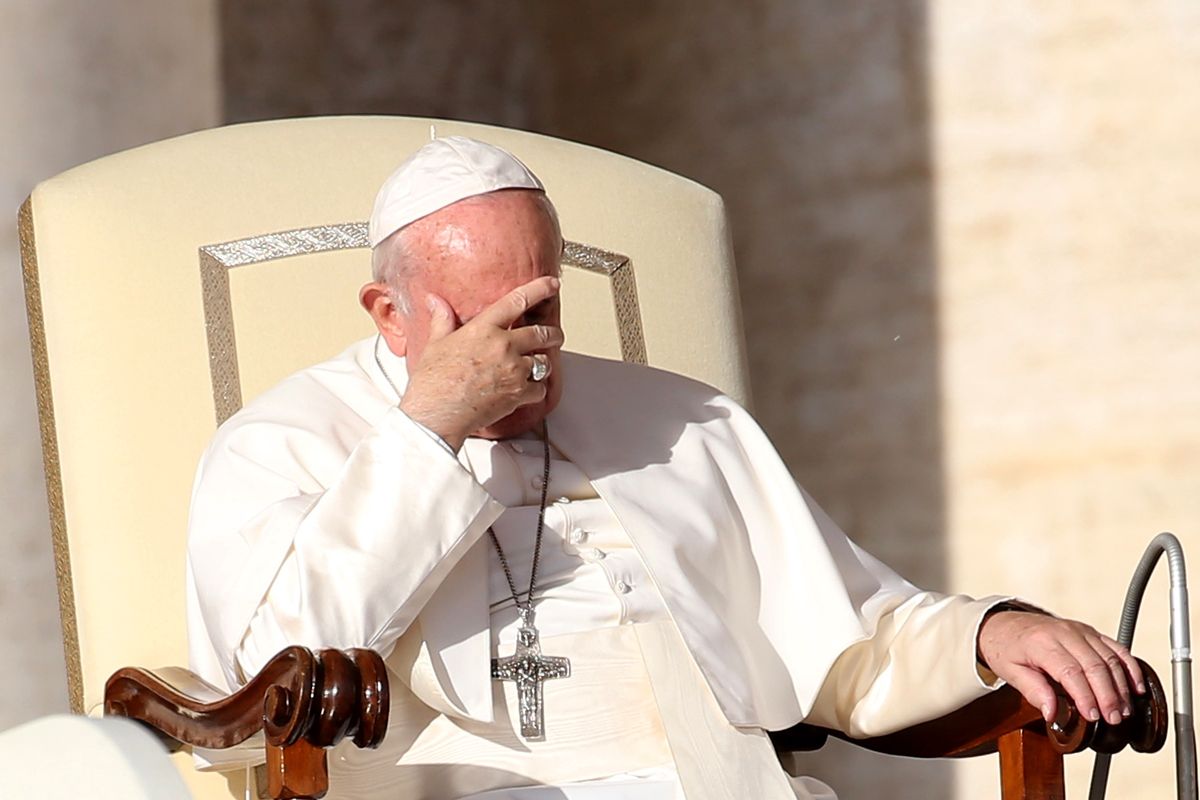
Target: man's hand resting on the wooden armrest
{"x": 1025, "y": 649}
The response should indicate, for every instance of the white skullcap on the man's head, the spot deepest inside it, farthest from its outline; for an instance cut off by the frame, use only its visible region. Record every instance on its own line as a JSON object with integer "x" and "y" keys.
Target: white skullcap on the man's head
{"x": 445, "y": 172}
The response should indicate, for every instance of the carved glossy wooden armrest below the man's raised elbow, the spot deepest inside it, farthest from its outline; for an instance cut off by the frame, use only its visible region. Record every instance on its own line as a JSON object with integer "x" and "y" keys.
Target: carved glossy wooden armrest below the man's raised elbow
{"x": 302, "y": 701}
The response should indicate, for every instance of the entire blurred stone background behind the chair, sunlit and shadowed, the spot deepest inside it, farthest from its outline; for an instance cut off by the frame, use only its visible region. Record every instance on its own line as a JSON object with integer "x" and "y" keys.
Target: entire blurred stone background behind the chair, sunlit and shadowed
{"x": 965, "y": 234}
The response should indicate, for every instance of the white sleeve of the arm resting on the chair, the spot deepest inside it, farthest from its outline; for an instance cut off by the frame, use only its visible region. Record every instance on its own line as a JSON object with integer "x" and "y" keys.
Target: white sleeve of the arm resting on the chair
{"x": 920, "y": 665}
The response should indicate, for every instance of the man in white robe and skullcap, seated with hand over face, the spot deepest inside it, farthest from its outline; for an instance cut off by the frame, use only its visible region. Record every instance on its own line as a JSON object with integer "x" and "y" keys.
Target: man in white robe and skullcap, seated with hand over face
{"x": 701, "y": 597}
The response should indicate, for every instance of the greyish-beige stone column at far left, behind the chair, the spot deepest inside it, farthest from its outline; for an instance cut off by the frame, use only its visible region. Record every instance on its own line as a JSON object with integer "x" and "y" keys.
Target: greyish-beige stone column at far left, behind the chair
{"x": 79, "y": 81}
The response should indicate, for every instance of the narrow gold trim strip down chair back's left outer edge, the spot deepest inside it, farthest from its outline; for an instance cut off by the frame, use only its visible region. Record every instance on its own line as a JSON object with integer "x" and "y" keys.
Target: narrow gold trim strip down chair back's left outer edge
{"x": 52, "y": 466}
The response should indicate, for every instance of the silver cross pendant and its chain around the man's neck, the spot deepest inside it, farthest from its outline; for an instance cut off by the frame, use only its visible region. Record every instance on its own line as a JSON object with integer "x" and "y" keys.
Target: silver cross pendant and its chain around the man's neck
{"x": 526, "y": 667}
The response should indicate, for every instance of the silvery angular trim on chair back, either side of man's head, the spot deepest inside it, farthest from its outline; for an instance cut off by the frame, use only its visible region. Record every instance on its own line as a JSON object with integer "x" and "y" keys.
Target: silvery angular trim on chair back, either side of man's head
{"x": 218, "y": 260}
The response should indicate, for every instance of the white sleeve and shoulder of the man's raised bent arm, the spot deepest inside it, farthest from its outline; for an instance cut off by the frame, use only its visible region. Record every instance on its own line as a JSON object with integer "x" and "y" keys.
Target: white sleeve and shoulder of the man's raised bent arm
{"x": 279, "y": 561}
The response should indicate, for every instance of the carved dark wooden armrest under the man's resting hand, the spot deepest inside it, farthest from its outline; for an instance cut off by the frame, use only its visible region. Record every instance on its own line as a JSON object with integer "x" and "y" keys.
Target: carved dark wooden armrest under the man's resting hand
{"x": 1031, "y": 749}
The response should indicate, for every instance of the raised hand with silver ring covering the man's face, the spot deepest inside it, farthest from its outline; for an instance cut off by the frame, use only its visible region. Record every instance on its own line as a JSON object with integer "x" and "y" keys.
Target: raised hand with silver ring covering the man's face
{"x": 469, "y": 377}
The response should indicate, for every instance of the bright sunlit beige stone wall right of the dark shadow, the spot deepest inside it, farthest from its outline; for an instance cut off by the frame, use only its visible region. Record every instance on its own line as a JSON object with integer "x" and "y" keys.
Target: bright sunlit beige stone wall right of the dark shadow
{"x": 1069, "y": 191}
